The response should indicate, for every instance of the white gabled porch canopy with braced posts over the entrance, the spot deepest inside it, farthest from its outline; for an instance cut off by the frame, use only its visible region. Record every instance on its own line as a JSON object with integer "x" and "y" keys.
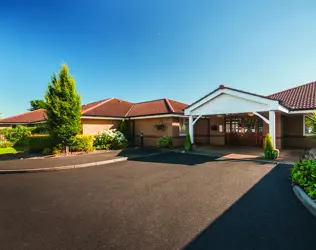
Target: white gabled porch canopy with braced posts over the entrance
{"x": 226, "y": 100}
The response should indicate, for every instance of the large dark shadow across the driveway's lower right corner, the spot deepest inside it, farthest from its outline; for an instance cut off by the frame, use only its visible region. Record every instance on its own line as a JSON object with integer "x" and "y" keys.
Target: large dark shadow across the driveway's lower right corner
{"x": 268, "y": 216}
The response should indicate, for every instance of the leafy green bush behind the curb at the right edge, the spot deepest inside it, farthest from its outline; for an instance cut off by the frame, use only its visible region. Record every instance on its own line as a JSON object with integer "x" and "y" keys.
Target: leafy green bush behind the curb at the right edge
{"x": 304, "y": 174}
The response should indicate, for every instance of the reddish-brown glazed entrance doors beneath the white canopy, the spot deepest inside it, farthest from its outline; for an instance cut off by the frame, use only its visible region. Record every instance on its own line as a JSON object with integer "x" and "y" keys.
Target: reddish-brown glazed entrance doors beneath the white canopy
{"x": 244, "y": 131}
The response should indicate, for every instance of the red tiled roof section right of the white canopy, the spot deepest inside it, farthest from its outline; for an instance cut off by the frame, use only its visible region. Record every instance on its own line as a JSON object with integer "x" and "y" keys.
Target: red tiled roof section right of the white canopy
{"x": 300, "y": 97}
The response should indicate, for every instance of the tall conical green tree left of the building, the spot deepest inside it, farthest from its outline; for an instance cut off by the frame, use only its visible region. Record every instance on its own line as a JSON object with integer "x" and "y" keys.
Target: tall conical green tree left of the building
{"x": 63, "y": 108}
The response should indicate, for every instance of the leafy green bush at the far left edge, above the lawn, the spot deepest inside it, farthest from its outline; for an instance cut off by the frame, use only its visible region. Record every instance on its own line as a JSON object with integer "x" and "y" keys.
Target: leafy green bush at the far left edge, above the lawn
{"x": 18, "y": 135}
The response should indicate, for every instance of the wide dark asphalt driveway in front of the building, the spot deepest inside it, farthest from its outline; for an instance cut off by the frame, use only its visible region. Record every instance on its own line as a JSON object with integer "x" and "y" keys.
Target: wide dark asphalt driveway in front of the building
{"x": 168, "y": 201}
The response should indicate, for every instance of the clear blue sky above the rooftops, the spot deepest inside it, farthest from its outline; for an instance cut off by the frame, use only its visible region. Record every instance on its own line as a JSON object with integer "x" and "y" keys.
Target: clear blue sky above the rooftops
{"x": 141, "y": 50}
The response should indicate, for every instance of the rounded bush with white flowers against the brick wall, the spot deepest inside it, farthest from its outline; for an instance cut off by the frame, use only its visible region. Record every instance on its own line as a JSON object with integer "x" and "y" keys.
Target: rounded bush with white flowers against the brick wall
{"x": 110, "y": 139}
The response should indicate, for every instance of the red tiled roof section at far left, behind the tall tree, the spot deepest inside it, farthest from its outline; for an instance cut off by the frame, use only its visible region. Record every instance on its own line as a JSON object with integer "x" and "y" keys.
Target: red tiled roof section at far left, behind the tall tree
{"x": 28, "y": 117}
